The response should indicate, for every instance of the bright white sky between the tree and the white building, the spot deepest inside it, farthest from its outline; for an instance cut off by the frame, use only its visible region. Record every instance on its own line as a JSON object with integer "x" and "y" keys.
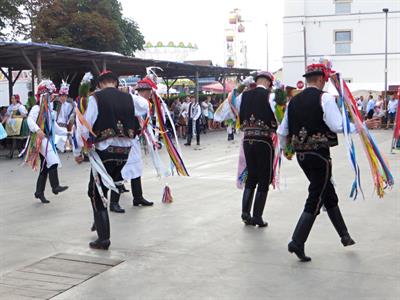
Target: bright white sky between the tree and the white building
{"x": 204, "y": 22}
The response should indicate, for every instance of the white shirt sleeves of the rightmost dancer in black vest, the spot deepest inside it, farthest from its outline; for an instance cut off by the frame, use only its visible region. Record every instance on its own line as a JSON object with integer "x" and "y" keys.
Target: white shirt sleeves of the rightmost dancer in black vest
{"x": 332, "y": 118}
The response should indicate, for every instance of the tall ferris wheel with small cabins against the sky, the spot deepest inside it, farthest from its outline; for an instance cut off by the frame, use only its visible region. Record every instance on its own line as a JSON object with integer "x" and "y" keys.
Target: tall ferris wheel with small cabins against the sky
{"x": 236, "y": 47}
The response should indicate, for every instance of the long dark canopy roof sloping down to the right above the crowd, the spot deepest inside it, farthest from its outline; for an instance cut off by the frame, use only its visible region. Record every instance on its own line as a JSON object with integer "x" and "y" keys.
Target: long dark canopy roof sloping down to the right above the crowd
{"x": 20, "y": 56}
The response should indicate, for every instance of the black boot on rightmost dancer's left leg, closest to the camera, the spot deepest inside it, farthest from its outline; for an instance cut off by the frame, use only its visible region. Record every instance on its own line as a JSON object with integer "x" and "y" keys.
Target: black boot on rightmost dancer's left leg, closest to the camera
{"x": 300, "y": 236}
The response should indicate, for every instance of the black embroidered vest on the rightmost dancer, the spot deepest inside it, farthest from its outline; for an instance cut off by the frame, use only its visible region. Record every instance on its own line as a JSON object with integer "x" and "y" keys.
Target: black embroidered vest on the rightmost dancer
{"x": 307, "y": 129}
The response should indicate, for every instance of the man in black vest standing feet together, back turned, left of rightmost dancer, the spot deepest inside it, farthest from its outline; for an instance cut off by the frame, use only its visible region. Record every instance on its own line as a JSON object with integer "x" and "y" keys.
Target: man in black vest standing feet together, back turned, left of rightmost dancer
{"x": 258, "y": 123}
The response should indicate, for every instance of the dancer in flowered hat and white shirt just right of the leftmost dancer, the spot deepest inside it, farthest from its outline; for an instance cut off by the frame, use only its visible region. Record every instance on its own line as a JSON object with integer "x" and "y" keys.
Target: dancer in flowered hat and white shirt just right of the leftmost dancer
{"x": 65, "y": 113}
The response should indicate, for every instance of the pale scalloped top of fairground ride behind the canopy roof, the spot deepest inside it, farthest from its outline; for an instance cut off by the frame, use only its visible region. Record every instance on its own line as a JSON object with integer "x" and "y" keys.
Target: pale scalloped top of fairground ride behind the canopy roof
{"x": 171, "y": 51}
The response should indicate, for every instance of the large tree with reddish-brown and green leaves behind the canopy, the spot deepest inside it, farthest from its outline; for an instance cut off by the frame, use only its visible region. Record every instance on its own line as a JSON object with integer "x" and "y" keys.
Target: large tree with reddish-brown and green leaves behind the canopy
{"x": 90, "y": 24}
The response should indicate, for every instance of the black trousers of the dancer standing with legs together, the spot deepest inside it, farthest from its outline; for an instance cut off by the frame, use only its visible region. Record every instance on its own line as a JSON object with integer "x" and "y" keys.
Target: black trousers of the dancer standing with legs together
{"x": 259, "y": 160}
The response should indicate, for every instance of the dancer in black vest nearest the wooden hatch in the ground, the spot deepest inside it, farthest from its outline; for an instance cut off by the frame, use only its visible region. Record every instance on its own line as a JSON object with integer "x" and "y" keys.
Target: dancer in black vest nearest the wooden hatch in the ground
{"x": 110, "y": 114}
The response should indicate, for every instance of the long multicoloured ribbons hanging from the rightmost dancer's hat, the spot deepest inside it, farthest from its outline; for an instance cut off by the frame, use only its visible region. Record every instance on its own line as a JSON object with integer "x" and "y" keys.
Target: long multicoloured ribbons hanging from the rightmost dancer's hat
{"x": 379, "y": 167}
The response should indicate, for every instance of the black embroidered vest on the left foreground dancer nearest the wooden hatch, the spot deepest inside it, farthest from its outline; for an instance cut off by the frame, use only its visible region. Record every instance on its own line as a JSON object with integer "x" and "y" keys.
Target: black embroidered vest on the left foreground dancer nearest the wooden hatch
{"x": 116, "y": 116}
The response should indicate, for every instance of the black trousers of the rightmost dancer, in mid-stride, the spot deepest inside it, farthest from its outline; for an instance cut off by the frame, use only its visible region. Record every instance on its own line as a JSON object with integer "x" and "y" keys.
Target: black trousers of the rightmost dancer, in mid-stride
{"x": 317, "y": 166}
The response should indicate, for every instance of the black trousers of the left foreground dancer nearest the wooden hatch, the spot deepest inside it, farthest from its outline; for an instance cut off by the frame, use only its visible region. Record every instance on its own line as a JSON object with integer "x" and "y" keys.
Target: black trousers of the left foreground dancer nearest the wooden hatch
{"x": 113, "y": 162}
